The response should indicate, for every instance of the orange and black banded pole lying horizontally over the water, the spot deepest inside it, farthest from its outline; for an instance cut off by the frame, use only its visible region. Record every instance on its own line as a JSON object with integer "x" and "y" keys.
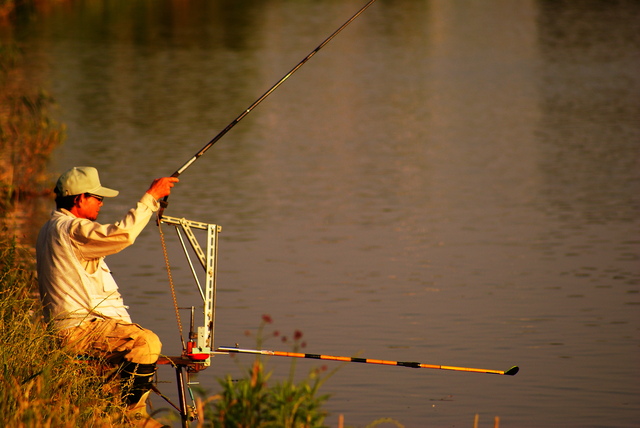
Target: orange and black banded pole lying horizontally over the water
{"x": 223, "y": 349}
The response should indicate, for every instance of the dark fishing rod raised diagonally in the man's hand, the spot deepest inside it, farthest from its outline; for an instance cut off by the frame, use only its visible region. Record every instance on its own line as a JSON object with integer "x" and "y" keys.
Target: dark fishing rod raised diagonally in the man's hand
{"x": 164, "y": 203}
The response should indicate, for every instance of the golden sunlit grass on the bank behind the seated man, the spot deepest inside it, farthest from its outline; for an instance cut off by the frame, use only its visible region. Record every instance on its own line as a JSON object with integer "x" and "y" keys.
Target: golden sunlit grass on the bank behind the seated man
{"x": 42, "y": 384}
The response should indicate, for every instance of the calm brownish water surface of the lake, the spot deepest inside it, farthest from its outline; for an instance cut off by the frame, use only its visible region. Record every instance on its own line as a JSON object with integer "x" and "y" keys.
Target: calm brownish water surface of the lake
{"x": 447, "y": 182}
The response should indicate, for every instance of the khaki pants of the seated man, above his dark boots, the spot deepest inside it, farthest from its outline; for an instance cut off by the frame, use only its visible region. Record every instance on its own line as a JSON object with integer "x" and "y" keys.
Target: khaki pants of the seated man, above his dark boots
{"x": 114, "y": 341}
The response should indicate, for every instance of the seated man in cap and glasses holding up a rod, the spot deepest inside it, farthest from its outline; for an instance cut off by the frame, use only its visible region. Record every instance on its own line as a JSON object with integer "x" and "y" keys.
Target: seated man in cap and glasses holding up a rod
{"x": 79, "y": 295}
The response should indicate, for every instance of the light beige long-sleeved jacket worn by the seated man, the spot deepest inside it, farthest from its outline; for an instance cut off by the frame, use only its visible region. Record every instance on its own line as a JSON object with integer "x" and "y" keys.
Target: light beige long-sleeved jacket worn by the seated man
{"x": 75, "y": 283}
